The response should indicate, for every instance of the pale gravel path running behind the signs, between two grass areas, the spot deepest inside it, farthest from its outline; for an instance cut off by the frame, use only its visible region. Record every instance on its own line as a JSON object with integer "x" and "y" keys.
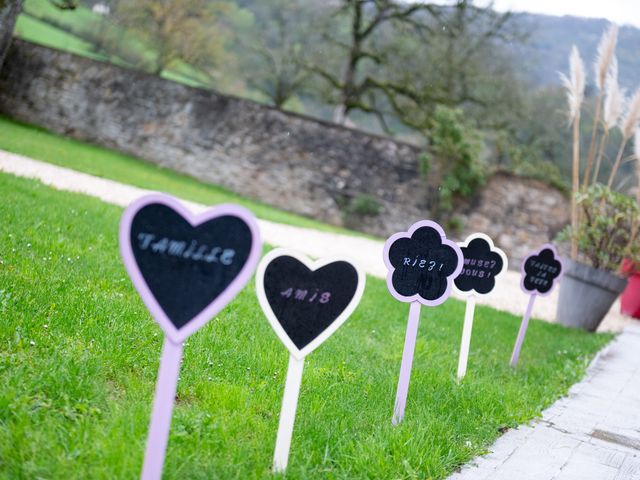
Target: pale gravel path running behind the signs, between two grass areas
{"x": 366, "y": 252}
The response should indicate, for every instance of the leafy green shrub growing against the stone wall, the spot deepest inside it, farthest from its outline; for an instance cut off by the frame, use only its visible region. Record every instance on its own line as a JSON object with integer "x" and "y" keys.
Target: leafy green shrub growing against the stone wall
{"x": 458, "y": 146}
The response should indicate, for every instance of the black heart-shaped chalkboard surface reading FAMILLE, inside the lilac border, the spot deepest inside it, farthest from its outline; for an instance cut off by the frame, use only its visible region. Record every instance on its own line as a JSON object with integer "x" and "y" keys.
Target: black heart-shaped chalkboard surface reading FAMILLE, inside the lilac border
{"x": 187, "y": 267}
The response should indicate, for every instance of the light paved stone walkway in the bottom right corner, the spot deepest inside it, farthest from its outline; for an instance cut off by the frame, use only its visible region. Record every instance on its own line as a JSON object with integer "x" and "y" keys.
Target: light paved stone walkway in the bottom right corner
{"x": 592, "y": 434}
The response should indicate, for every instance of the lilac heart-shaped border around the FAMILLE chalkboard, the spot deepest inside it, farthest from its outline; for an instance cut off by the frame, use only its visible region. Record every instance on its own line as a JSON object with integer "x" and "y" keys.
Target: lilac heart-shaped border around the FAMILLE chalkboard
{"x": 180, "y": 335}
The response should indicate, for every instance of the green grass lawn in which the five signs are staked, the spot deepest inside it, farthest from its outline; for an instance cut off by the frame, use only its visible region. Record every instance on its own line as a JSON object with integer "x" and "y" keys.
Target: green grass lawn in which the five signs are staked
{"x": 79, "y": 356}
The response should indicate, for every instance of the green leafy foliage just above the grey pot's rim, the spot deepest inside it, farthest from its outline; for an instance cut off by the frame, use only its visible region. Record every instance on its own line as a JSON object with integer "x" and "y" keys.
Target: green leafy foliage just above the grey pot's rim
{"x": 609, "y": 228}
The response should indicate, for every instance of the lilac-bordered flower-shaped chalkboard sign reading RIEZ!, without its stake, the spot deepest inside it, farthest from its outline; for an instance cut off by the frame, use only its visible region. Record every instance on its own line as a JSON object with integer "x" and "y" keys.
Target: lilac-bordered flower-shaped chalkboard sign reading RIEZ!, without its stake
{"x": 422, "y": 264}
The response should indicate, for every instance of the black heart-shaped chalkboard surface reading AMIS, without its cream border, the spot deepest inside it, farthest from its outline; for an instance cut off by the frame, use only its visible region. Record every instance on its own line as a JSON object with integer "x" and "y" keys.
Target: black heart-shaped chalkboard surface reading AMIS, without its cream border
{"x": 307, "y": 302}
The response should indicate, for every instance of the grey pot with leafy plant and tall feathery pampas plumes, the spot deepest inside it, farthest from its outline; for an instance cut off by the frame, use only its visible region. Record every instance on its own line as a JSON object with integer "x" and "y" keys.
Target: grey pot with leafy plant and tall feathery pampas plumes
{"x": 605, "y": 224}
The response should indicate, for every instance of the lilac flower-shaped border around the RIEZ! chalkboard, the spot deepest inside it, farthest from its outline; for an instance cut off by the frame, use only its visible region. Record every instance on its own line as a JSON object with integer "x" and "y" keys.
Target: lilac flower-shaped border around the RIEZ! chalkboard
{"x": 416, "y": 297}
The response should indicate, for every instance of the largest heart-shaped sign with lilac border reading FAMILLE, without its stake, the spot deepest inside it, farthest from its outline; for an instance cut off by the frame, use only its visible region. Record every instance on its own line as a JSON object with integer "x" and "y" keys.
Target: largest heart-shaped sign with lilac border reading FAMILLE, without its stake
{"x": 187, "y": 267}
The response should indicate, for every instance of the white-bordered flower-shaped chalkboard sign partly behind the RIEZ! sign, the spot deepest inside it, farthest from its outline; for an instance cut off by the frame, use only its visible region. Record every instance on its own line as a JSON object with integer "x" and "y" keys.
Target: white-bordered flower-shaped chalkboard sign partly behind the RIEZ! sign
{"x": 483, "y": 262}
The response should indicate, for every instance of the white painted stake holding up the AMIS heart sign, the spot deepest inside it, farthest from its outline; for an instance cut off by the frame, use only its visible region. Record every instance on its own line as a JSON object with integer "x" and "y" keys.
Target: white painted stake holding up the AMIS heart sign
{"x": 288, "y": 414}
